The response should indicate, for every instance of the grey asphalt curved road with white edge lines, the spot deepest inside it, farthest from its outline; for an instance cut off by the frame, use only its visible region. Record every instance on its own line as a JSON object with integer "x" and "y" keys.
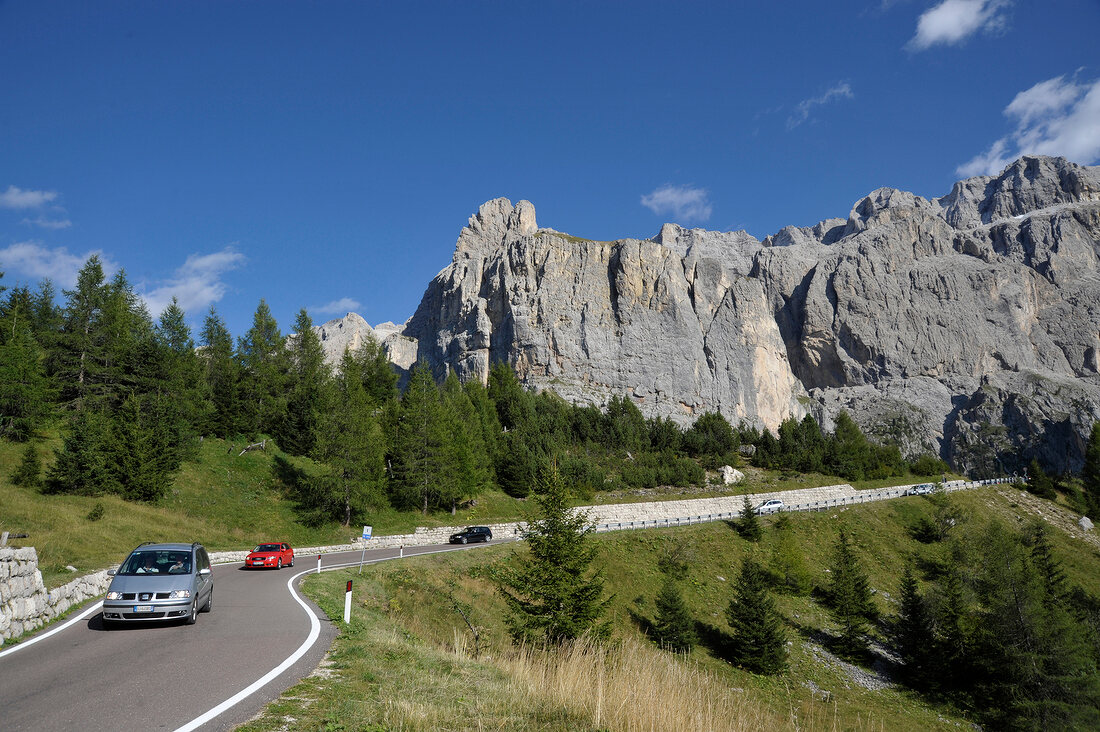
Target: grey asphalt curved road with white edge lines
{"x": 175, "y": 678}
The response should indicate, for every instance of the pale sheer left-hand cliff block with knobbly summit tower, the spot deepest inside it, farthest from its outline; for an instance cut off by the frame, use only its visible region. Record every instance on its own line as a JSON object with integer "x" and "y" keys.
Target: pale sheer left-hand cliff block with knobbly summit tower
{"x": 672, "y": 326}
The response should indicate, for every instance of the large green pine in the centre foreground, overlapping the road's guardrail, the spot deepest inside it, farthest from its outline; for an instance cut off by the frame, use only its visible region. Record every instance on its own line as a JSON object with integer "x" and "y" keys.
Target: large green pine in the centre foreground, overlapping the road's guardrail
{"x": 554, "y": 594}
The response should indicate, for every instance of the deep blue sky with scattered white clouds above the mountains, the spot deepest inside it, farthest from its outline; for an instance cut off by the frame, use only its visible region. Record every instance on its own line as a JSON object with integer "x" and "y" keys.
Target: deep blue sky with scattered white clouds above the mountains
{"x": 326, "y": 155}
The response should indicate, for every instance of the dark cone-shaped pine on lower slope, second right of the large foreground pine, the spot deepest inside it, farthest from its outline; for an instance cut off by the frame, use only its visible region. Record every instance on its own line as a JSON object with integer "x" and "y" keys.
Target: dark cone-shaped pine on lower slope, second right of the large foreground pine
{"x": 760, "y": 641}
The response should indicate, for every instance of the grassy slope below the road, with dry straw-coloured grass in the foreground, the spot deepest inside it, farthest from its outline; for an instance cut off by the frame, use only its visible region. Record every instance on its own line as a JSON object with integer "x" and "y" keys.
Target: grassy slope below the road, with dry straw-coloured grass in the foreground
{"x": 409, "y": 661}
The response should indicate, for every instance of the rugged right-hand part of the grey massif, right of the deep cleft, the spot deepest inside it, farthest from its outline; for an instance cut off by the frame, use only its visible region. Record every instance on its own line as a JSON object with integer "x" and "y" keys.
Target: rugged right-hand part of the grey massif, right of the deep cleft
{"x": 956, "y": 324}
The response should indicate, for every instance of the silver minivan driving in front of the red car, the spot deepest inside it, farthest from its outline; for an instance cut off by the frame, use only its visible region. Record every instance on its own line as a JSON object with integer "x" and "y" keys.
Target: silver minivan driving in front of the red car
{"x": 160, "y": 583}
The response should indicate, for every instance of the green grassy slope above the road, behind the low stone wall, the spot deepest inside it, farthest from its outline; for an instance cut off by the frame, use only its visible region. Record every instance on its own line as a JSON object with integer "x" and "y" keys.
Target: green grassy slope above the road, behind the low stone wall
{"x": 229, "y": 501}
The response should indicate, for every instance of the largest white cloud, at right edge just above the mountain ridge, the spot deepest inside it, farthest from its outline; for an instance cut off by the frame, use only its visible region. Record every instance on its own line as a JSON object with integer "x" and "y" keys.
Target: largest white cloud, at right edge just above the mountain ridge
{"x": 1057, "y": 117}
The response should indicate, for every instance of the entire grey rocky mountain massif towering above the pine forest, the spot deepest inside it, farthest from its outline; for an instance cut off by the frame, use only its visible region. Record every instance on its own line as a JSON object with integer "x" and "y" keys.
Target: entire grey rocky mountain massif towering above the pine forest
{"x": 969, "y": 325}
